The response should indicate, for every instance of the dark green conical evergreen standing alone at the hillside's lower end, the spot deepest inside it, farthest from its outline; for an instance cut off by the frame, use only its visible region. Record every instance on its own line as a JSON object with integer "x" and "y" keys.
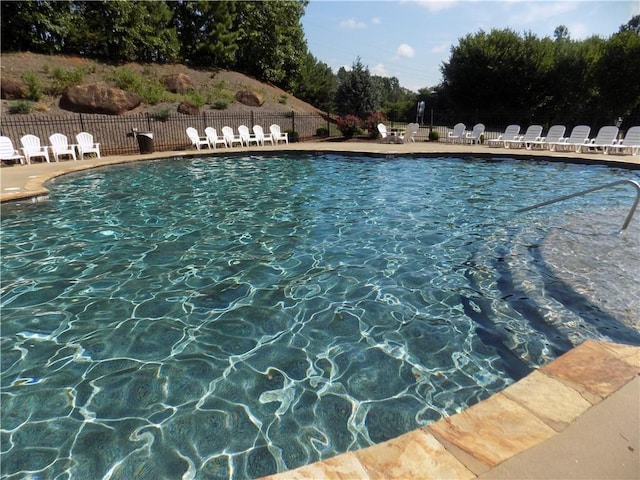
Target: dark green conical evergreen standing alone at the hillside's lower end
{"x": 355, "y": 93}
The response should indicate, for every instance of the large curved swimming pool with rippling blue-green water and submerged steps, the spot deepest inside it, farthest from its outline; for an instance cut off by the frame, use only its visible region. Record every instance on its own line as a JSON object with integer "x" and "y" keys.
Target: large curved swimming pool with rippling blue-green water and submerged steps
{"x": 233, "y": 317}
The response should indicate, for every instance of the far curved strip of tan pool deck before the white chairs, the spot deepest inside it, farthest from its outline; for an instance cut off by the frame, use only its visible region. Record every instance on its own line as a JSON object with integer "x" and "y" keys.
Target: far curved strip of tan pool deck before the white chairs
{"x": 24, "y": 182}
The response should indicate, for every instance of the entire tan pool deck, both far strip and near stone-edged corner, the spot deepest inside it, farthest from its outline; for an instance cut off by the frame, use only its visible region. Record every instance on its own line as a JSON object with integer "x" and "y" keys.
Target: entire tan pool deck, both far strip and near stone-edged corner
{"x": 577, "y": 417}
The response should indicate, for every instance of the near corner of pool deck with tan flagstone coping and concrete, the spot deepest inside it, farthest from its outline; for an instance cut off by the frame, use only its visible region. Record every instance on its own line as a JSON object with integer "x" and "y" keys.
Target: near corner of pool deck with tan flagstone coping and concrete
{"x": 576, "y": 417}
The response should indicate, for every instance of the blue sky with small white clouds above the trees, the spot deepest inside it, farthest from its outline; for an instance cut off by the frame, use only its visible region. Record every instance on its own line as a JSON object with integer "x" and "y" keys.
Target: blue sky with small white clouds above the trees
{"x": 409, "y": 39}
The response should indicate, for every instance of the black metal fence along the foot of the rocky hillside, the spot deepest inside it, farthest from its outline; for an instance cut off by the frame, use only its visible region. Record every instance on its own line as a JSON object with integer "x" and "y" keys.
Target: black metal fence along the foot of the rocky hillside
{"x": 168, "y": 133}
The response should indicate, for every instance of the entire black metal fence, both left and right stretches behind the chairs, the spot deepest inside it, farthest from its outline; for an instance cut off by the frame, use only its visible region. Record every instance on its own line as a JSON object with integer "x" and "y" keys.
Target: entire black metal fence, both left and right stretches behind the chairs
{"x": 170, "y": 133}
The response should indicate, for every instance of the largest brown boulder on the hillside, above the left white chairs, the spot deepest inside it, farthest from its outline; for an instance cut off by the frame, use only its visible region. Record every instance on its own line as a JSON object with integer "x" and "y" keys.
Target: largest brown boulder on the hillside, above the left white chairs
{"x": 98, "y": 98}
